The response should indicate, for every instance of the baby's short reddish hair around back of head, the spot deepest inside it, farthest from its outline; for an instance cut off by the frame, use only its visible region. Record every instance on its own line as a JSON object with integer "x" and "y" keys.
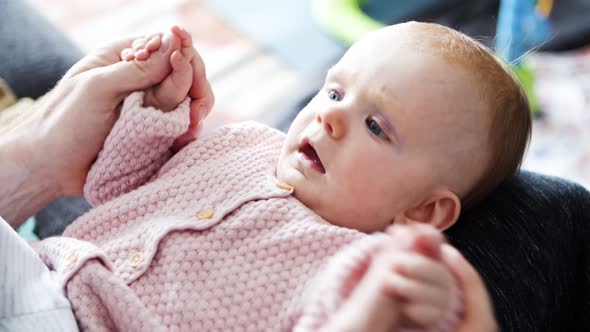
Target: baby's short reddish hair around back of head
{"x": 509, "y": 109}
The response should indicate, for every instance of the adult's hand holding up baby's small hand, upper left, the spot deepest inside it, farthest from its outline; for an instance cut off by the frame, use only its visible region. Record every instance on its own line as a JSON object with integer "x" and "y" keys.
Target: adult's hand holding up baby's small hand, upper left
{"x": 79, "y": 112}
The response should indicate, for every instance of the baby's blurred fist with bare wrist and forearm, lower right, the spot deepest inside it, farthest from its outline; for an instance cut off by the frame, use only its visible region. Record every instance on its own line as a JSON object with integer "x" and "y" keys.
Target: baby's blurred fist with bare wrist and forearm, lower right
{"x": 405, "y": 284}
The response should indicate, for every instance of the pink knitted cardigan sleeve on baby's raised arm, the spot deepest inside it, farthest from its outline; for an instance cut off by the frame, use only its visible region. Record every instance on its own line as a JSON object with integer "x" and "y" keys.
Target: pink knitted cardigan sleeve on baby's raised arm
{"x": 136, "y": 148}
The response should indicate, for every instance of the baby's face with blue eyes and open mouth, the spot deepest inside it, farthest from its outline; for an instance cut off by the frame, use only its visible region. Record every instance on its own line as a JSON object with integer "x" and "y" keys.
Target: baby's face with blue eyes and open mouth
{"x": 381, "y": 134}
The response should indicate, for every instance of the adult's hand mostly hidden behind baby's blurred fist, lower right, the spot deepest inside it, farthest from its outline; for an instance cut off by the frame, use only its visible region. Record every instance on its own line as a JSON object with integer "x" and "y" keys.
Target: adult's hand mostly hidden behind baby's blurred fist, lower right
{"x": 478, "y": 311}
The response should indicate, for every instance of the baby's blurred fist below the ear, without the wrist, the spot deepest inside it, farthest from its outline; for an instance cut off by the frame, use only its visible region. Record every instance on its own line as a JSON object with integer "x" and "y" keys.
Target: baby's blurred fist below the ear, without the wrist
{"x": 415, "y": 276}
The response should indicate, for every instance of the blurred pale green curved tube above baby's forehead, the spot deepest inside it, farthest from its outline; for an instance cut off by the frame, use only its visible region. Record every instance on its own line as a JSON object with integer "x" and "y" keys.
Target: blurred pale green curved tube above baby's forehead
{"x": 344, "y": 19}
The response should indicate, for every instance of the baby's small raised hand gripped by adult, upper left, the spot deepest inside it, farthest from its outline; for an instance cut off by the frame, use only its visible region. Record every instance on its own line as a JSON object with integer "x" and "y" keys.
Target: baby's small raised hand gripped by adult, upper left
{"x": 175, "y": 87}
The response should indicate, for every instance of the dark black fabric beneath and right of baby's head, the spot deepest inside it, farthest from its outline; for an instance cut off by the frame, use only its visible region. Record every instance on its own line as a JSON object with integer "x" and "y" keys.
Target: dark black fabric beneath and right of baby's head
{"x": 529, "y": 240}
